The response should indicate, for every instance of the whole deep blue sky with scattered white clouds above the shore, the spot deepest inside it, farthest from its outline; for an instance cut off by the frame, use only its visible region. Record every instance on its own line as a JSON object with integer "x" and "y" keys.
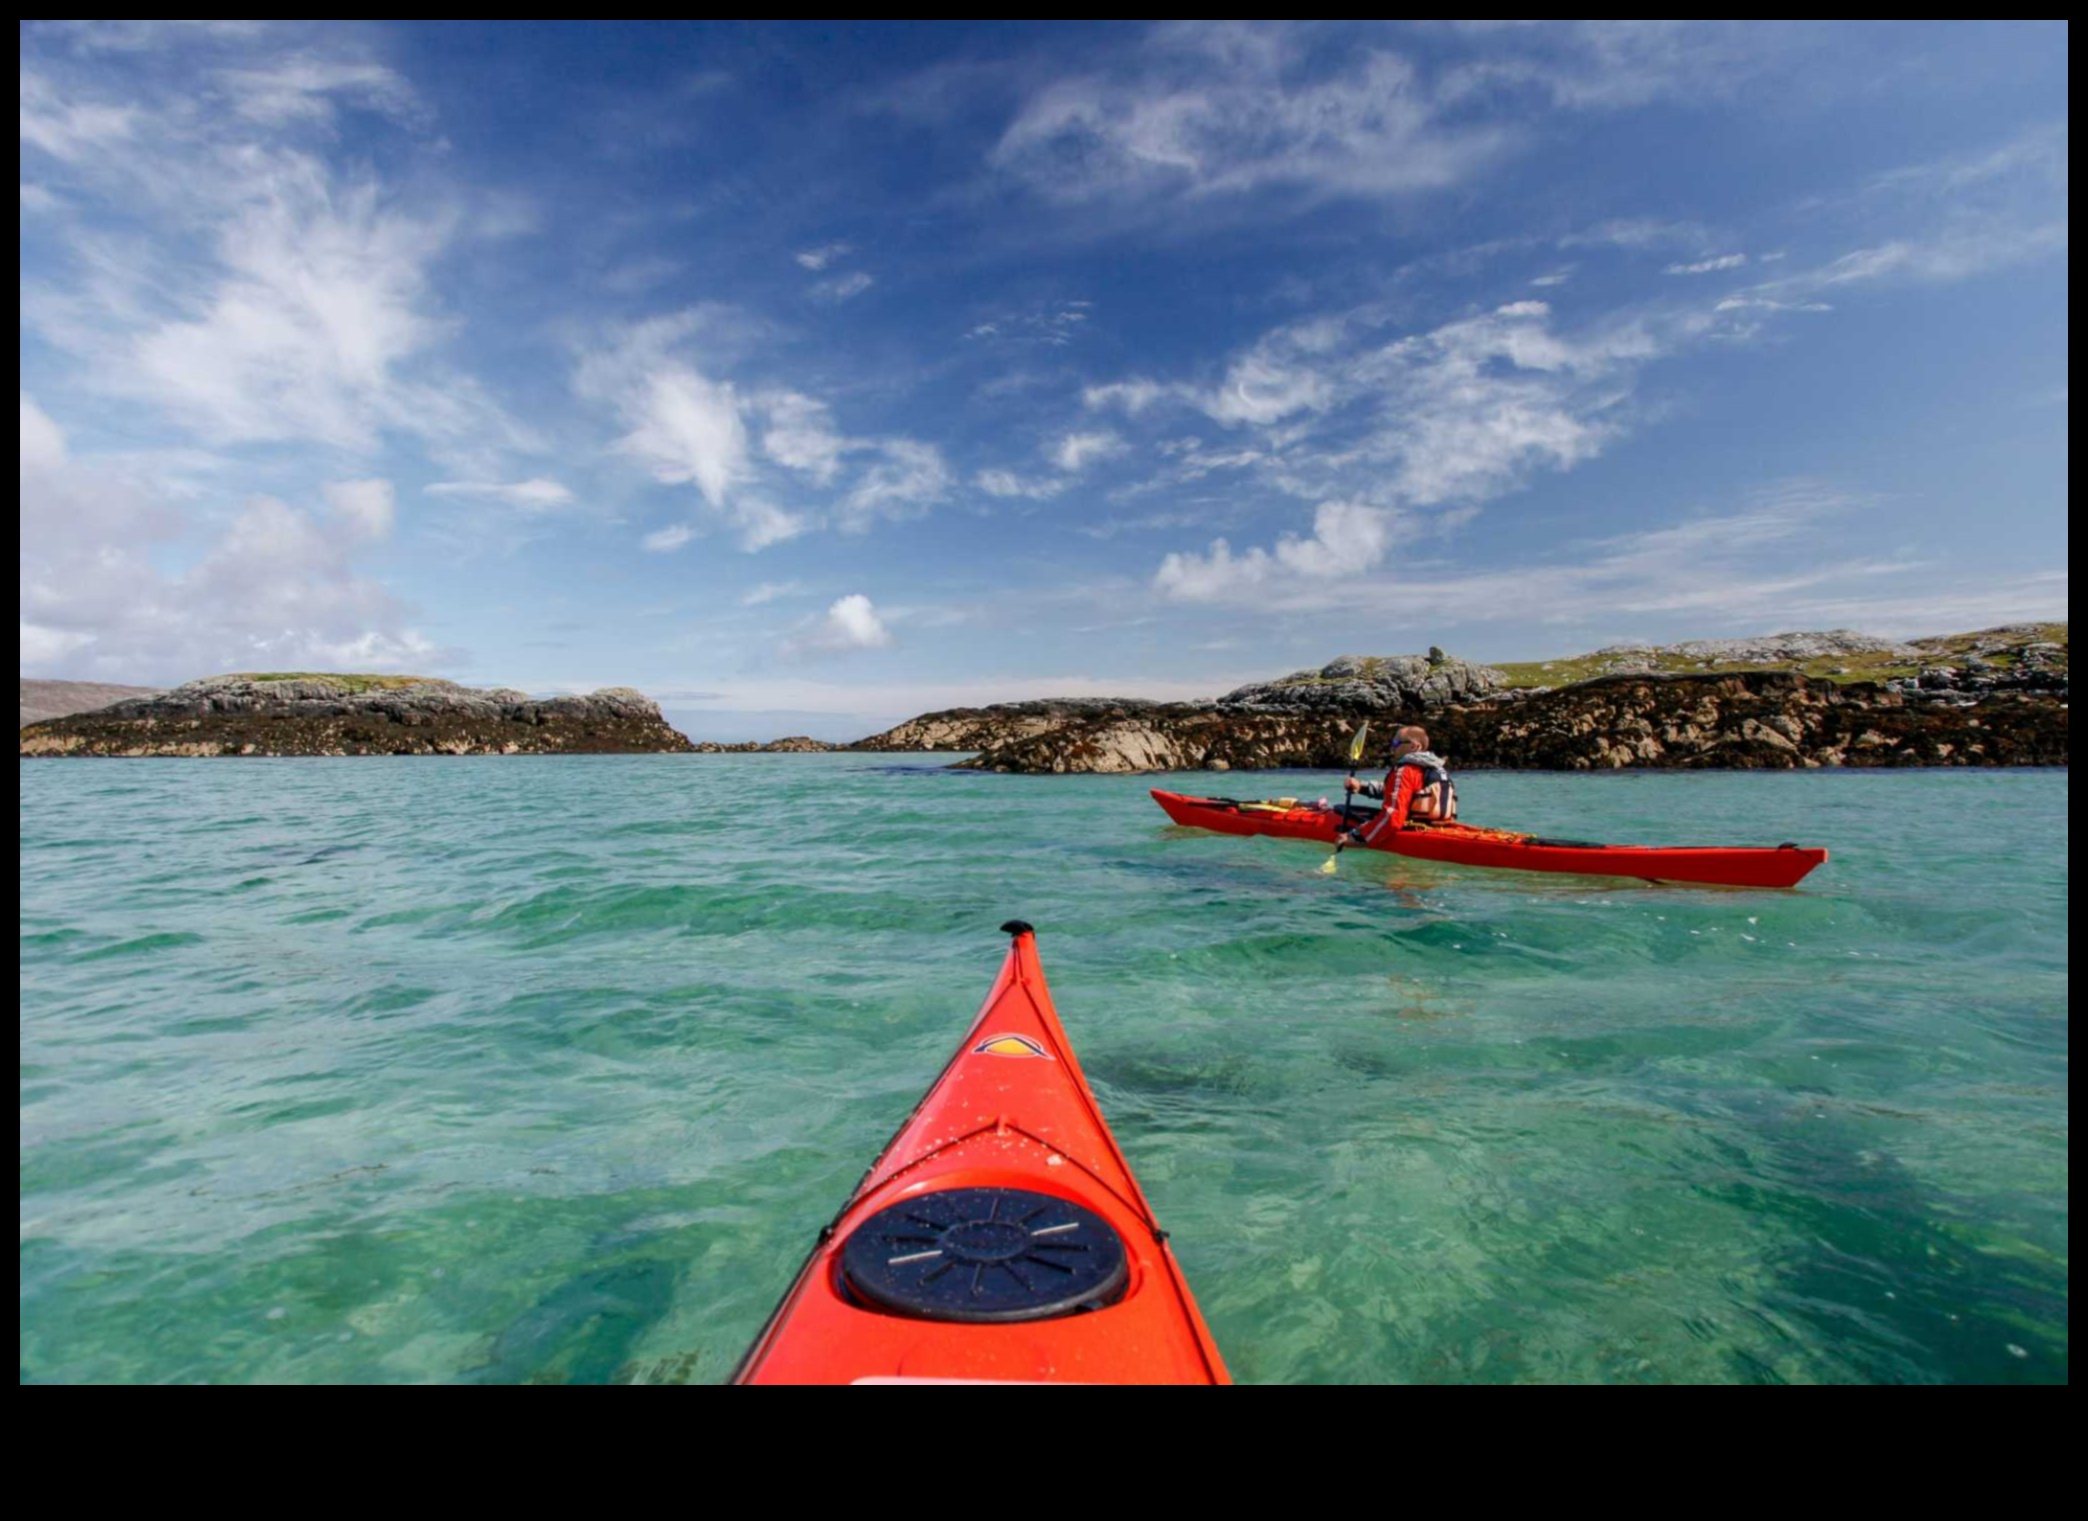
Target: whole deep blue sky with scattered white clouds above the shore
{"x": 813, "y": 377}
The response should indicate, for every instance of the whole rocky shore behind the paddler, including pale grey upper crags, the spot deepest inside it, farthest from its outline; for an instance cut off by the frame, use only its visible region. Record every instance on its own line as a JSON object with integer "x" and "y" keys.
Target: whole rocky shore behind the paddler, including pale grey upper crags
{"x": 1989, "y": 699}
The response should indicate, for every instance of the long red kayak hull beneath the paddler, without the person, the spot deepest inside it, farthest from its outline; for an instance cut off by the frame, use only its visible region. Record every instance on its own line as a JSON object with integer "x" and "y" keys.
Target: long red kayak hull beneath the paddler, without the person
{"x": 1475, "y": 847}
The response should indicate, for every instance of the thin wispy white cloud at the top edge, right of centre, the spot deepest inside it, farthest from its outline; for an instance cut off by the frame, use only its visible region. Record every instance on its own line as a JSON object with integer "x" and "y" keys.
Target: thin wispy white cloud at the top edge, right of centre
{"x": 1233, "y": 110}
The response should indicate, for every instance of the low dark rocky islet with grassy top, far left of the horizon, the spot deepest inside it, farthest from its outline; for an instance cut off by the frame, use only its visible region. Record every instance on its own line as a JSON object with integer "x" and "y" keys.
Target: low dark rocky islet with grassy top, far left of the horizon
{"x": 316, "y": 713}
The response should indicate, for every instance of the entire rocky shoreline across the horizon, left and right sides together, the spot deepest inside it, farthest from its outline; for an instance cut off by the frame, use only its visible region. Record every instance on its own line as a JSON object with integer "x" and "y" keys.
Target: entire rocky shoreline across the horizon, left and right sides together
{"x": 1838, "y": 699}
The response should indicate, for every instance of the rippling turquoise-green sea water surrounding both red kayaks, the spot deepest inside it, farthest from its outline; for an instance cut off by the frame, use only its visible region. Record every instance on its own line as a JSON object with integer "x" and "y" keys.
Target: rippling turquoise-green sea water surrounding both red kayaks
{"x": 548, "y": 1071}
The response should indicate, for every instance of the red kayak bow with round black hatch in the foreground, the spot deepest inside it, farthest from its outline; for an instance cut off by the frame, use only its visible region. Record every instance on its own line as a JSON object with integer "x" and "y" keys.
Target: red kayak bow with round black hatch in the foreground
{"x": 999, "y": 1240}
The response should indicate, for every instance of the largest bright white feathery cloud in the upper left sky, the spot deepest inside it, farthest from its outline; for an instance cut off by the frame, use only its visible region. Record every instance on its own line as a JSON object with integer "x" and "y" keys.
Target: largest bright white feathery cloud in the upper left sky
{"x": 239, "y": 285}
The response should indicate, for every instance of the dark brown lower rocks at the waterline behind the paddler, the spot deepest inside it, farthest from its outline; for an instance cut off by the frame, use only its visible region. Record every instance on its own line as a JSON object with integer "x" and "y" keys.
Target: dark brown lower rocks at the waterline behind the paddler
{"x": 1747, "y": 720}
